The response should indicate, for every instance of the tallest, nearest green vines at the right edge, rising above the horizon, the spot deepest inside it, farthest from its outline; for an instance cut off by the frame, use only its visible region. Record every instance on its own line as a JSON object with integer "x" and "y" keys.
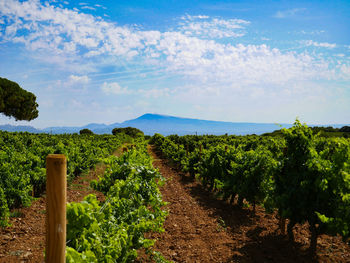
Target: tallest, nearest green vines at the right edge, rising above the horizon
{"x": 313, "y": 183}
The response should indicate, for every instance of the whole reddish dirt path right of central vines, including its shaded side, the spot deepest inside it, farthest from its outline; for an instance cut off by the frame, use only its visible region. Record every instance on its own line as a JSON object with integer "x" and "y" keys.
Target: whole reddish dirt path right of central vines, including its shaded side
{"x": 201, "y": 228}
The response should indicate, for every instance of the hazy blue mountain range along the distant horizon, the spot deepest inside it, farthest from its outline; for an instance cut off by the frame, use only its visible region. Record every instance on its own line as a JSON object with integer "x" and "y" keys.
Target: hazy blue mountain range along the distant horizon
{"x": 166, "y": 125}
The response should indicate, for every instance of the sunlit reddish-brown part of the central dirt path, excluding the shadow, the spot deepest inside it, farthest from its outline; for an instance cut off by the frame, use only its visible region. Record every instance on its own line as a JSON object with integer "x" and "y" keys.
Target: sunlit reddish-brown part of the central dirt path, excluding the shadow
{"x": 192, "y": 233}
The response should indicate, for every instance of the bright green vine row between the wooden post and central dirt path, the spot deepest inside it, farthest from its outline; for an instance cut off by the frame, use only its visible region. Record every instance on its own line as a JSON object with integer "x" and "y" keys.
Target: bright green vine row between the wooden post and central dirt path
{"x": 113, "y": 230}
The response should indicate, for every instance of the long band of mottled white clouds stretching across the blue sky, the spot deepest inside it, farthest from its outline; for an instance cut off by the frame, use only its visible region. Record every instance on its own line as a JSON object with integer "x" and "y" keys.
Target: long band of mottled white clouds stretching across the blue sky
{"x": 191, "y": 52}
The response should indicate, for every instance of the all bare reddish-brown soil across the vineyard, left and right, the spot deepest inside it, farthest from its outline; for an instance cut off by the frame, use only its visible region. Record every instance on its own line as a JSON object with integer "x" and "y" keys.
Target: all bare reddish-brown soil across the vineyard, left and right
{"x": 199, "y": 228}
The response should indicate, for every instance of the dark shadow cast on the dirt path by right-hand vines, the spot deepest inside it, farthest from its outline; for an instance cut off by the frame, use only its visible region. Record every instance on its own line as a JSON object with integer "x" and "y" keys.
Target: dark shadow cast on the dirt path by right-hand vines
{"x": 267, "y": 248}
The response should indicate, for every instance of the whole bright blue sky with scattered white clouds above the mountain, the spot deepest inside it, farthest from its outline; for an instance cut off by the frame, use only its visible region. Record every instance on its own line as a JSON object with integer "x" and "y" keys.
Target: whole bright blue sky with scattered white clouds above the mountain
{"x": 108, "y": 61}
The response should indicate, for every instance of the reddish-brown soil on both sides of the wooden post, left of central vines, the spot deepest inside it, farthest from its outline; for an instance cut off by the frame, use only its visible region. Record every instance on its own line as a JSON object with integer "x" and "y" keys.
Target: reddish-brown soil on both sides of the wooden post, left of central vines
{"x": 24, "y": 241}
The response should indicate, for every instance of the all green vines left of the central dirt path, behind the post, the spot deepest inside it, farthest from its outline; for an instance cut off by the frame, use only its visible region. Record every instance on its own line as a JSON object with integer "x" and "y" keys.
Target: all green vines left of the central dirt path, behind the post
{"x": 97, "y": 231}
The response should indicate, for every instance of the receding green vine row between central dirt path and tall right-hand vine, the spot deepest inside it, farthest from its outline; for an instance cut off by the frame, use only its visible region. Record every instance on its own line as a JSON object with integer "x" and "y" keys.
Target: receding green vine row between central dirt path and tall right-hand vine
{"x": 230, "y": 165}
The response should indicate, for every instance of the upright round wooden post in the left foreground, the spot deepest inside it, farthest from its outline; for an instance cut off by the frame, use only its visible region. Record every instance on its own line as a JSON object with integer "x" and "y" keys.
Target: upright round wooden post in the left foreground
{"x": 56, "y": 196}
